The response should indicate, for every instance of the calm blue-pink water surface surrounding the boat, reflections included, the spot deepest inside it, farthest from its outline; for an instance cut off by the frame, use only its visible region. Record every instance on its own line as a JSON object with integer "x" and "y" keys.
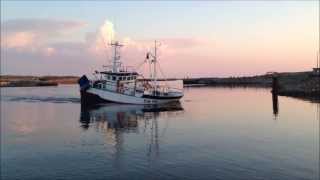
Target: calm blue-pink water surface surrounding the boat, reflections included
{"x": 215, "y": 133}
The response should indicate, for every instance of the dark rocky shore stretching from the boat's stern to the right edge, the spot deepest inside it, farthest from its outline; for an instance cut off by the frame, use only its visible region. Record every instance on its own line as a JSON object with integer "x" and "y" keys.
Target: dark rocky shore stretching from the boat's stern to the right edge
{"x": 297, "y": 84}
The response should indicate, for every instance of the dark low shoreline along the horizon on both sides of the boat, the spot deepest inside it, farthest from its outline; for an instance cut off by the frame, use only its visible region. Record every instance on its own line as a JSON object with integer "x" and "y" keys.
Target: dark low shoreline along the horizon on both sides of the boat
{"x": 293, "y": 84}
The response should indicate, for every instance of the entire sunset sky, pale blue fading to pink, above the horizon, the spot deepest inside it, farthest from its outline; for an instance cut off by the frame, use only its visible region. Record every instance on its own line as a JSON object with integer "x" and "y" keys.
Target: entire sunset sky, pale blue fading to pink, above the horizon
{"x": 197, "y": 39}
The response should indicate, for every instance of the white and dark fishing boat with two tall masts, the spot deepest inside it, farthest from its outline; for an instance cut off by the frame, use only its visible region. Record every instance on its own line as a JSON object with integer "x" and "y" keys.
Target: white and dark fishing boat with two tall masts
{"x": 118, "y": 84}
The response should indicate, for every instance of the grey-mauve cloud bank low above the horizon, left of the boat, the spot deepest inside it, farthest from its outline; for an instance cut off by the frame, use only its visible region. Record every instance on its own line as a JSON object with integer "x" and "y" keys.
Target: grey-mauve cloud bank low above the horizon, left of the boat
{"x": 44, "y": 63}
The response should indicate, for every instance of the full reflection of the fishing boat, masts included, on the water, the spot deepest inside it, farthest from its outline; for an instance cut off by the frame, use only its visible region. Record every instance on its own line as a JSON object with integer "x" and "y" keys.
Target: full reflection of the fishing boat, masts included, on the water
{"x": 115, "y": 120}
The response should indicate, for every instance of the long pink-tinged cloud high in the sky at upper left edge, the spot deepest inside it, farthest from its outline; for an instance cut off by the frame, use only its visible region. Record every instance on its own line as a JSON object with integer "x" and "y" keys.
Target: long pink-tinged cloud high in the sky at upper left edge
{"x": 35, "y": 34}
